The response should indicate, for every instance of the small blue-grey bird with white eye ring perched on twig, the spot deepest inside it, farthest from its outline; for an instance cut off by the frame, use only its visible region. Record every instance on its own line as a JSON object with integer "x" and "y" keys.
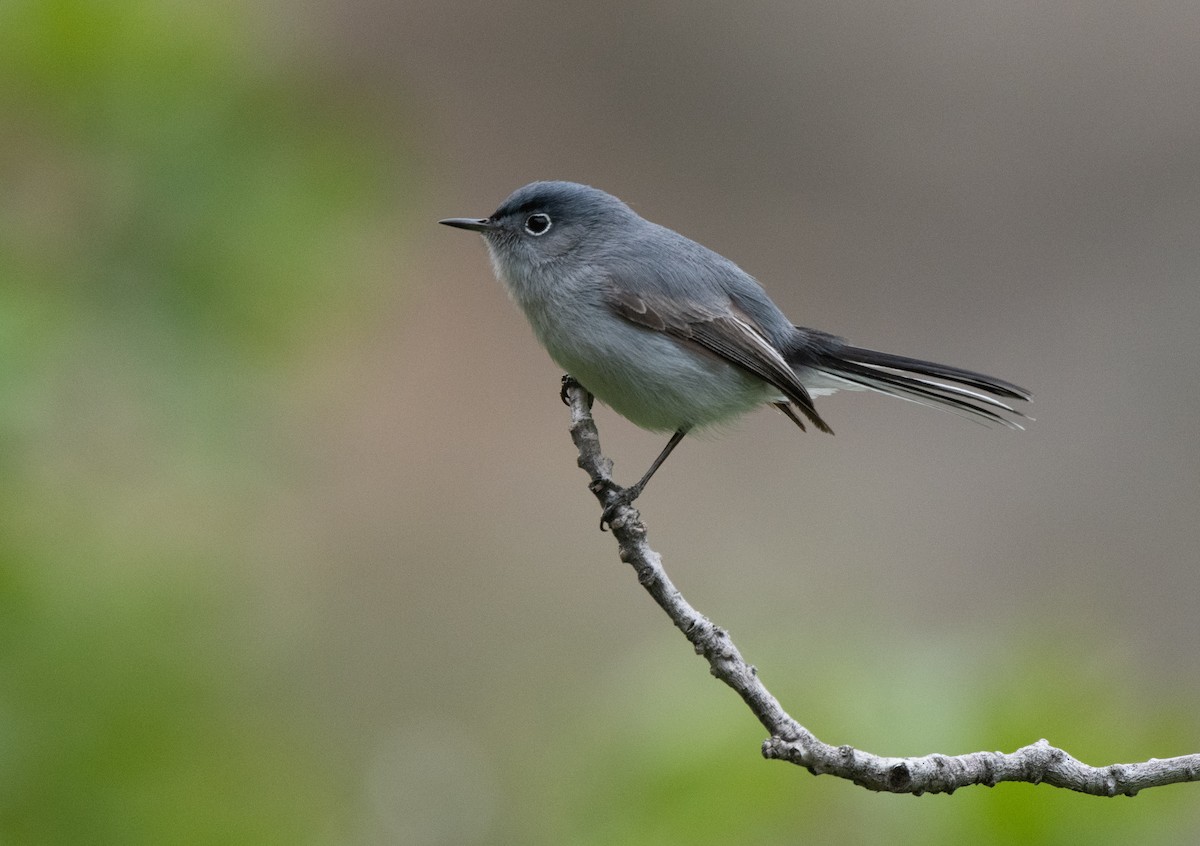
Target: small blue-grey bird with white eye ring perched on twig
{"x": 674, "y": 337}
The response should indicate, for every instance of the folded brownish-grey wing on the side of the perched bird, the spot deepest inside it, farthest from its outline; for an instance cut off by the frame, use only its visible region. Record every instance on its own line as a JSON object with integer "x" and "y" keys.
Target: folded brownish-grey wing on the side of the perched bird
{"x": 728, "y": 333}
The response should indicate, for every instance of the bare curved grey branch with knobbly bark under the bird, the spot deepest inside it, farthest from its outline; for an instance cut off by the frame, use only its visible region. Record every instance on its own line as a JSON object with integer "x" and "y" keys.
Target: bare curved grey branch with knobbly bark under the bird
{"x": 1036, "y": 764}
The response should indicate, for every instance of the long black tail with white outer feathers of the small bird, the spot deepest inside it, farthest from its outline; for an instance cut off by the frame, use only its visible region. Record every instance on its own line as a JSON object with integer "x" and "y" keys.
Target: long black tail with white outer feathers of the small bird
{"x": 965, "y": 393}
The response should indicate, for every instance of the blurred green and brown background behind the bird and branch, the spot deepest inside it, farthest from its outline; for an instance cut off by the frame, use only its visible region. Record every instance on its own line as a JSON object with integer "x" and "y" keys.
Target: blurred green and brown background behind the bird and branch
{"x": 293, "y": 548}
